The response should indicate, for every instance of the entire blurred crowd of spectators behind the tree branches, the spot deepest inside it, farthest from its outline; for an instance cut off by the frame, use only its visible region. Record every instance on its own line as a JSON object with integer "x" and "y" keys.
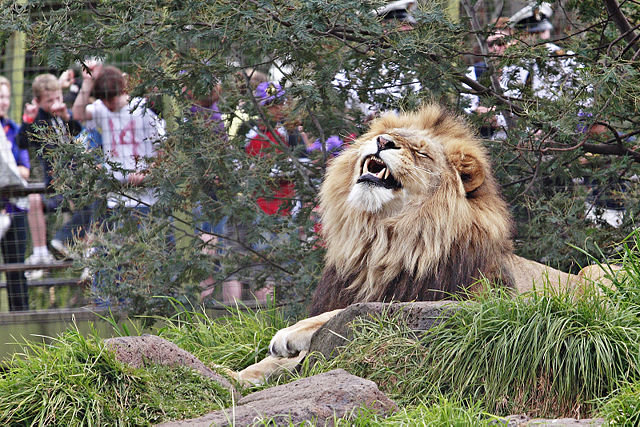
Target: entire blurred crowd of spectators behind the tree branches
{"x": 98, "y": 108}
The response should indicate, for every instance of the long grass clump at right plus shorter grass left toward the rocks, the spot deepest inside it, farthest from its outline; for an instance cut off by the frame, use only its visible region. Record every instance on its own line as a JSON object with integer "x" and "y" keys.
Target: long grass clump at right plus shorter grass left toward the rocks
{"x": 549, "y": 355}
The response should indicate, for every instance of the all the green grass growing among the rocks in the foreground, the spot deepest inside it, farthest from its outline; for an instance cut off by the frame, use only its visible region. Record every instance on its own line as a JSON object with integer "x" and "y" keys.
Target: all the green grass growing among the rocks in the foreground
{"x": 549, "y": 355}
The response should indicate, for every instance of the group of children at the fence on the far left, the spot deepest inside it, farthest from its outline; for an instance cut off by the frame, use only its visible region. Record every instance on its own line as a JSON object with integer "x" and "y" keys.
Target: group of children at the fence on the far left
{"x": 127, "y": 133}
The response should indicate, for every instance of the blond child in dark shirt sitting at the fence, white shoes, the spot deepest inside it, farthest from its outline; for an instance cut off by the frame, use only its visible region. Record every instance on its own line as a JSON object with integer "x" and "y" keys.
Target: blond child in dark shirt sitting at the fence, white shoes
{"x": 52, "y": 117}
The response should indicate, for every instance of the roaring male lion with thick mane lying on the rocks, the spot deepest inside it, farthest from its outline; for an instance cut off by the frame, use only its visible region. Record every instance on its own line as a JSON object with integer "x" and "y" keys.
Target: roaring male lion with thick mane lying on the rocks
{"x": 411, "y": 211}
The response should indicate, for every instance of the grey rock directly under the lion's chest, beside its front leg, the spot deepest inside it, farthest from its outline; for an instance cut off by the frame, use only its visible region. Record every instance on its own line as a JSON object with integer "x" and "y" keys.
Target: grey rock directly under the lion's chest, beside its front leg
{"x": 419, "y": 316}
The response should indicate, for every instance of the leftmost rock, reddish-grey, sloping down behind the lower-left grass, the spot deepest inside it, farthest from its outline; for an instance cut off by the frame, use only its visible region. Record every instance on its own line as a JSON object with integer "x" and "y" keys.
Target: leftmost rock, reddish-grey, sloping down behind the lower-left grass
{"x": 145, "y": 349}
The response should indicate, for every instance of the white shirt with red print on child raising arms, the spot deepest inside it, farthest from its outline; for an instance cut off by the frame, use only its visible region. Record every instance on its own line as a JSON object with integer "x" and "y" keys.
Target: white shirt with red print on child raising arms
{"x": 128, "y": 138}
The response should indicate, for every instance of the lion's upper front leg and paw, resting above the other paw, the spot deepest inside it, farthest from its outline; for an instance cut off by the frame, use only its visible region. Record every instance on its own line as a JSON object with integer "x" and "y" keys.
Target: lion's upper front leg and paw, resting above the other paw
{"x": 289, "y": 342}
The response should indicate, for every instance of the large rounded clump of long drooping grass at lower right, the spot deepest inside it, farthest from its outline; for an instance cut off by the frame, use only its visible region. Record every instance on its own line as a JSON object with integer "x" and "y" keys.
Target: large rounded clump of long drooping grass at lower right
{"x": 550, "y": 355}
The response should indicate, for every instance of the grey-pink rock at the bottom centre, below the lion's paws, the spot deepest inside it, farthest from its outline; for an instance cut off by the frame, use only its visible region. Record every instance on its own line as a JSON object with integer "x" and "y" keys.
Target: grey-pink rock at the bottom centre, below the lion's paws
{"x": 319, "y": 398}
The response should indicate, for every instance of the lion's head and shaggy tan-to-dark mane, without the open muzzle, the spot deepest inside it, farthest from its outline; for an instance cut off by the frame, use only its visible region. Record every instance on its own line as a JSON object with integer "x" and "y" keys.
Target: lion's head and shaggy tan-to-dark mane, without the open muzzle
{"x": 448, "y": 227}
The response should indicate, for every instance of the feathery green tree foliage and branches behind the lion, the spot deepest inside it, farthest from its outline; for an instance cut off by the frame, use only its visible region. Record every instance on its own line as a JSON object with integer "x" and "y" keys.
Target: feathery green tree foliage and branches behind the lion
{"x": 548, "y": 167}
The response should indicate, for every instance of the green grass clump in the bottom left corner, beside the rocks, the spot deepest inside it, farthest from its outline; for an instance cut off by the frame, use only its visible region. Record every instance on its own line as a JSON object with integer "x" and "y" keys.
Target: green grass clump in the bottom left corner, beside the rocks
{"x": 75, "y": 381}
